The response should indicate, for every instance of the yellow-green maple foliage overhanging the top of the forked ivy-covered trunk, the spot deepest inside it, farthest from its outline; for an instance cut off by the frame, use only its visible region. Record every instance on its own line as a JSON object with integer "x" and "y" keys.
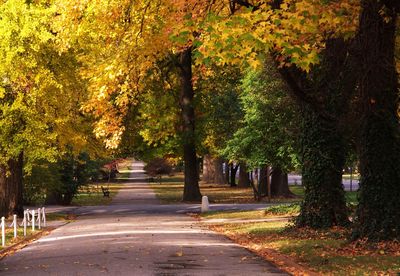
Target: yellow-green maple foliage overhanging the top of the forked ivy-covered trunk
{"x": 297, "y": 31}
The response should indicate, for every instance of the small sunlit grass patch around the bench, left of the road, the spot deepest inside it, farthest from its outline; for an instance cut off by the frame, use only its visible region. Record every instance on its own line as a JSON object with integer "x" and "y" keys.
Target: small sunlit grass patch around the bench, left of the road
{"x": 92, "y": 195}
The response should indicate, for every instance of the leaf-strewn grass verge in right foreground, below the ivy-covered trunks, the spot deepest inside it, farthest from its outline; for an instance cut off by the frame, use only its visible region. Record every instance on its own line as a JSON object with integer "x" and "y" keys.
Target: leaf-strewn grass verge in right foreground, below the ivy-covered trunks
{"x": 327, "y": 252}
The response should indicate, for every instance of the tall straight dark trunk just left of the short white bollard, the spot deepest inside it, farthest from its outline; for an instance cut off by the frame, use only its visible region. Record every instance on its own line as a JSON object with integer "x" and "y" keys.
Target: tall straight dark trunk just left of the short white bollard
{"x": 191, "y": 190}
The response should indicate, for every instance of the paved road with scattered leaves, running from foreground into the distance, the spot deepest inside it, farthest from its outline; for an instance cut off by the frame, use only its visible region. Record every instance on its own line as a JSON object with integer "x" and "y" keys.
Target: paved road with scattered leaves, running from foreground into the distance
{"x": 134, "y": 236}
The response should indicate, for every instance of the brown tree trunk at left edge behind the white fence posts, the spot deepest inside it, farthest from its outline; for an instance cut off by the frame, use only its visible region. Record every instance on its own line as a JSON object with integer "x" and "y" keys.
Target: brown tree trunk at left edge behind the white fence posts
{"x": 11, "y": 187}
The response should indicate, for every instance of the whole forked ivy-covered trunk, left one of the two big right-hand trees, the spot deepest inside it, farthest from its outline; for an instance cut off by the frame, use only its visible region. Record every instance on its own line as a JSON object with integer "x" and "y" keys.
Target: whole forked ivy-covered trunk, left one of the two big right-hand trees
{"x": 324, "y": 96}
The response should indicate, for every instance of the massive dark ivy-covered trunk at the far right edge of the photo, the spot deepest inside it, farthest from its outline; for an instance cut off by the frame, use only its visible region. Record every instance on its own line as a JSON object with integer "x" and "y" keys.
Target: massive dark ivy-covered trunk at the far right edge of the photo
{"x": 378, "y": 213}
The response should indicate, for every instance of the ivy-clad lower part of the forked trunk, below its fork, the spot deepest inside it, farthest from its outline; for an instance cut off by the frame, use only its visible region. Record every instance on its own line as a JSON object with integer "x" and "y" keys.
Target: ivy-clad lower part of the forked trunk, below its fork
{"x": 323, "y": 158}
